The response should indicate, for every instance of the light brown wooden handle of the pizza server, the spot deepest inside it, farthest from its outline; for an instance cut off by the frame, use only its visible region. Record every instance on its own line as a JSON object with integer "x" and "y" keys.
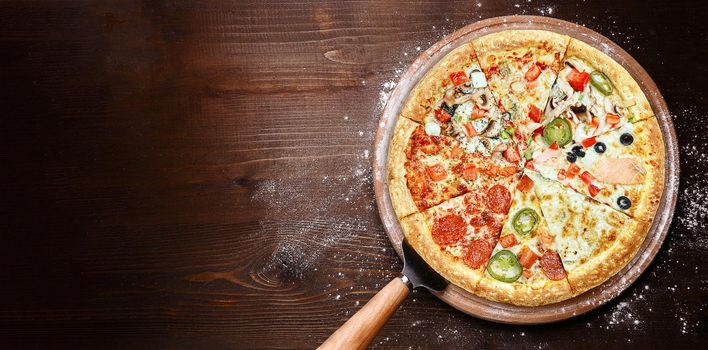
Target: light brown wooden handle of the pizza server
{"x": 361, "y": 329}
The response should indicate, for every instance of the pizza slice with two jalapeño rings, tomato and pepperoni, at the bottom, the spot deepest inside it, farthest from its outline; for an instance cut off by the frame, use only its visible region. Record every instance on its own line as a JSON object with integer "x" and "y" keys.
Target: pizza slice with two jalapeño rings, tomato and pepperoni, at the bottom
{"x": 524, "y": 268}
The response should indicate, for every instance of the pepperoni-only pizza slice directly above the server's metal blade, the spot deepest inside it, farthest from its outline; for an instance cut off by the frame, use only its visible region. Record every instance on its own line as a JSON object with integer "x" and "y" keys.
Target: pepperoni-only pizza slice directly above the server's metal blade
{"x": 458, "y": 236}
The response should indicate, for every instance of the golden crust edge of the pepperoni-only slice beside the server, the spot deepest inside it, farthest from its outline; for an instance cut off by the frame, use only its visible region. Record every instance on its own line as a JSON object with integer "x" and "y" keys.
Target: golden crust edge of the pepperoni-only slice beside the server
{"x": 418, "y": 231}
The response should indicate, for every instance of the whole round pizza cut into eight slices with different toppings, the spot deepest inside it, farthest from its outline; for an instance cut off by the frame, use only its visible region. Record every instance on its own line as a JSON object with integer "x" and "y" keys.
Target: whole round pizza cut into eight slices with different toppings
{"x": 526, "y": 167}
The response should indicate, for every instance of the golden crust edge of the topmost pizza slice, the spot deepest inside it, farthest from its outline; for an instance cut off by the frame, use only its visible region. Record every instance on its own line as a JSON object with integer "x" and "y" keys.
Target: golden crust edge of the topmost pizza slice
{"x": 508, "y": 40}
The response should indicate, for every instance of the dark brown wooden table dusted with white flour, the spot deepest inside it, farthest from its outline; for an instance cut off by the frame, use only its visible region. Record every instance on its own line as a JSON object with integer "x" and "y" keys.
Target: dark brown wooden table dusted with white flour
{"x": 188, "y": 175}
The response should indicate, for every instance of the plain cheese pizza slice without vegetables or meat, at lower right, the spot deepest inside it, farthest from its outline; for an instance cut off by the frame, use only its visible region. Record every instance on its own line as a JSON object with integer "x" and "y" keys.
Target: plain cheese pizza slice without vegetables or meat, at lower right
{"x": 593, "y": 240}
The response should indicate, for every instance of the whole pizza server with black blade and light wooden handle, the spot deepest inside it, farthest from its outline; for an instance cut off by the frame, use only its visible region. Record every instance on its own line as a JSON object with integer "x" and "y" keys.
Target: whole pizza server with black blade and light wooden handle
{"x": 361, "y": 328}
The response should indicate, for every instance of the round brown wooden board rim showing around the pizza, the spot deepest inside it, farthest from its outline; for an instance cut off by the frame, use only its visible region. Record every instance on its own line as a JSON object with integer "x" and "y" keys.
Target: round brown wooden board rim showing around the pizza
{"x": 511, "y": 314}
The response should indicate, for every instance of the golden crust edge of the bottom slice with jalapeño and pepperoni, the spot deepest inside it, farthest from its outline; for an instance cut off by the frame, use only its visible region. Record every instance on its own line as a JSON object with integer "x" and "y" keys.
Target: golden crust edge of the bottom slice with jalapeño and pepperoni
{"x": 523, "y": 294}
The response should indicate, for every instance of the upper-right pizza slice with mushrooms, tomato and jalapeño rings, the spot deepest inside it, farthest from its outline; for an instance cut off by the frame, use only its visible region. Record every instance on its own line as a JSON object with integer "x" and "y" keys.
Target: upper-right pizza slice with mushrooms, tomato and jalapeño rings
{"x": 592, "y": 95}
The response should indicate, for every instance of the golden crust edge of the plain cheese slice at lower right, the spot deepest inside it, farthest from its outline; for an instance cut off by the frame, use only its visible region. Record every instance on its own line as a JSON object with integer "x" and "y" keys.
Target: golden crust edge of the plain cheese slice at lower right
{"x": 611, "y": 260}
